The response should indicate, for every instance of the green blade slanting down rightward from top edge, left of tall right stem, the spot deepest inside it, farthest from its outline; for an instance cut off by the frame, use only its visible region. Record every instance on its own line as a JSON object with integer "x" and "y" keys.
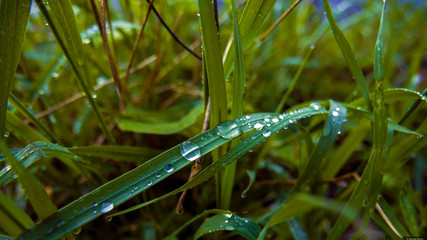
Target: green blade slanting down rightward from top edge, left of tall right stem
{"x": 348, "y": 54}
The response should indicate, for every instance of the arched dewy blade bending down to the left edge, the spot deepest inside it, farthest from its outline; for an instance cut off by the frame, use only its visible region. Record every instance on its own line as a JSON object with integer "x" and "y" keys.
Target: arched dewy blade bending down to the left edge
{"x": 33, "y": 153}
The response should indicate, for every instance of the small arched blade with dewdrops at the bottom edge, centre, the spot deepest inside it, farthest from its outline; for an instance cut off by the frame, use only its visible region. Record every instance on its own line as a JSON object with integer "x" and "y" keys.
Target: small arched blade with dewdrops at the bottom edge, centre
{"x": 245, "y": 227}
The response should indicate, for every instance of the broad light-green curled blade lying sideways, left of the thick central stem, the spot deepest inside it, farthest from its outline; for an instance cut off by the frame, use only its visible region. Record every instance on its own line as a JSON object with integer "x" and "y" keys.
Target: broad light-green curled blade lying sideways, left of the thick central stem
{"x": 159, "y": 122}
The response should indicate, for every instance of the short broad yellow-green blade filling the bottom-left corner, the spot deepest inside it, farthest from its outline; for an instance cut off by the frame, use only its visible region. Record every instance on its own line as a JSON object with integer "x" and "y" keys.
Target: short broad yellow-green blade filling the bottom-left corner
{"x": 13, "y": 221}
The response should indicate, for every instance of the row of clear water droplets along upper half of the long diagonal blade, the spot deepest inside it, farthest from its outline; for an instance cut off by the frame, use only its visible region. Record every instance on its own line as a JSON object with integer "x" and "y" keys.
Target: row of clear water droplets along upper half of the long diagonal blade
{"x": 234, "y": 128}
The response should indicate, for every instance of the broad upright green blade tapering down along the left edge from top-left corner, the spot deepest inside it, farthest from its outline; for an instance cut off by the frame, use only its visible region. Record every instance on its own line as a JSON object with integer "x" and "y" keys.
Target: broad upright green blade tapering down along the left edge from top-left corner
{"x": 13, "y": 23}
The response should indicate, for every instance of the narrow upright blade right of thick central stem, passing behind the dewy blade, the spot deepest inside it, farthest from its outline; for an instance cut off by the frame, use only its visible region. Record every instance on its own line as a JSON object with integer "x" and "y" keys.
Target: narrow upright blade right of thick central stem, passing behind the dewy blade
{"x": 239, "y": 83}
